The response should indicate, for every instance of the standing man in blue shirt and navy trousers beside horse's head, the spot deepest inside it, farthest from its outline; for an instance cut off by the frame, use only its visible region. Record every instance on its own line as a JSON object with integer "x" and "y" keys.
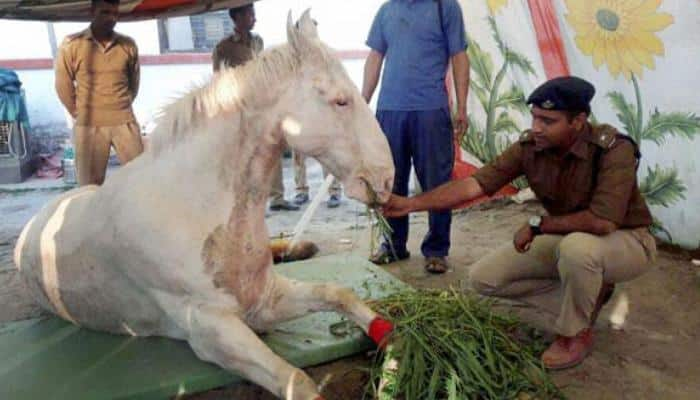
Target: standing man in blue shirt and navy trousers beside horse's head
{"x": 415, "y": 40}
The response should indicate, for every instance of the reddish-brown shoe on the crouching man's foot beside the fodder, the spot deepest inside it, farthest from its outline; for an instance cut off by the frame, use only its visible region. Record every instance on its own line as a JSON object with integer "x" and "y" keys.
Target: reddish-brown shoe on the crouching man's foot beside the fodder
{"x": 567, "y": 352}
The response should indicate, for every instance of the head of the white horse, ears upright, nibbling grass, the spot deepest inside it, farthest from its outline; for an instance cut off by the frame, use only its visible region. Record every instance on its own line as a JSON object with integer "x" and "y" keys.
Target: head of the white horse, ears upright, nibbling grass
{"x": 325, "y": 117}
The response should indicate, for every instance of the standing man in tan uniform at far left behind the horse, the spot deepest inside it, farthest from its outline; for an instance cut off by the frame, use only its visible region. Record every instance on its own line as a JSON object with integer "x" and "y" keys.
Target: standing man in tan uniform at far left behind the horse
{"x": 97, "y": 79}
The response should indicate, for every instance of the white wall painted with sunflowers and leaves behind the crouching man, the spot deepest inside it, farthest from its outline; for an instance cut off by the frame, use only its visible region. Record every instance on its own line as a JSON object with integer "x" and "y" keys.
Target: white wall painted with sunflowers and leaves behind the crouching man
{"x": 641, "y": 56}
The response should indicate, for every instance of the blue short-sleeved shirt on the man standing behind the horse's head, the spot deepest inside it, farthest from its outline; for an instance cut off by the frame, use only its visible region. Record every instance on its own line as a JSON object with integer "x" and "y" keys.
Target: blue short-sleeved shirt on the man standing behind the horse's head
{"x": 416, "y": 52}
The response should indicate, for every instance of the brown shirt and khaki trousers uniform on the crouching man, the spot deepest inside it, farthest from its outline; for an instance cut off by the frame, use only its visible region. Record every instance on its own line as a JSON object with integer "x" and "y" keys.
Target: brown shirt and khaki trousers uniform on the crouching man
{"x": 597, "y": 174}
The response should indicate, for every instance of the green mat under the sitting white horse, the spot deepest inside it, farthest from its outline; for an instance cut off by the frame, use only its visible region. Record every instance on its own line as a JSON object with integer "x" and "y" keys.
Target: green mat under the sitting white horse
{"x": 51, "y": 359}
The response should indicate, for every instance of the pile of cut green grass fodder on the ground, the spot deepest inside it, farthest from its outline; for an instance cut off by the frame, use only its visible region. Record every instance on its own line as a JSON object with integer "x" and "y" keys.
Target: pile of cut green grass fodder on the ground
{"x": 451, "y": 345}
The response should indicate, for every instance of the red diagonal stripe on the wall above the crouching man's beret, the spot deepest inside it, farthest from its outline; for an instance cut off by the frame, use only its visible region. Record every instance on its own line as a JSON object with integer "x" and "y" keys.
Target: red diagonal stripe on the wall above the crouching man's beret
{"x": 544, "y": 18}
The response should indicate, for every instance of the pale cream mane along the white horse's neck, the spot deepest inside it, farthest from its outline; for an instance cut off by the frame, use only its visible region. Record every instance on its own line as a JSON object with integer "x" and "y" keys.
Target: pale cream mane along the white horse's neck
{"x": 232, "y": 90}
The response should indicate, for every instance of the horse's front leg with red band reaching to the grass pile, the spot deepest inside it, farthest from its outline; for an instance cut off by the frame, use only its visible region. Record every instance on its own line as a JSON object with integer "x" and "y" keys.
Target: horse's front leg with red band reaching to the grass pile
{"x": 287, "y": 299}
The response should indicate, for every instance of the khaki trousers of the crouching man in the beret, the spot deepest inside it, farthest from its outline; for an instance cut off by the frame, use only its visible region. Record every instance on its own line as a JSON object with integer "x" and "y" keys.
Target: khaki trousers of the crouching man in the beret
{"x": 578, "y": 262}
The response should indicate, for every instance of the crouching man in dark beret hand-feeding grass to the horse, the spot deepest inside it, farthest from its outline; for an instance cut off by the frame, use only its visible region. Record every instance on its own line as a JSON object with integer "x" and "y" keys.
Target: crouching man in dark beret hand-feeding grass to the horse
{"x": 596, "y": 231}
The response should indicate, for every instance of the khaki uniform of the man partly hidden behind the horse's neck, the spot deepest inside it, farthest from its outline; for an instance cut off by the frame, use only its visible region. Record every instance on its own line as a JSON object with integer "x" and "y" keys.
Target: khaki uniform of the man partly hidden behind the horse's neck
{"x": 231, "y": 52}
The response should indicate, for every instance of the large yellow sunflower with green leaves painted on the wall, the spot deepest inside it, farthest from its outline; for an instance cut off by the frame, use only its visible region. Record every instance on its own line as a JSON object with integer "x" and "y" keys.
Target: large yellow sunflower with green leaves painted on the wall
{"x": 622, "y": 35}
